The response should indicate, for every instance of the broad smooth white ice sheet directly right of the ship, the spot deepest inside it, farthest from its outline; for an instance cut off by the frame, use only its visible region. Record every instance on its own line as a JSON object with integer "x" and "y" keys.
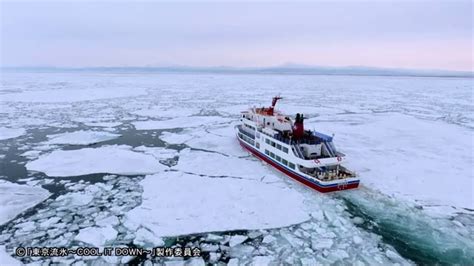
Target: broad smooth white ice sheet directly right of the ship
{"x": 425, "y": 161}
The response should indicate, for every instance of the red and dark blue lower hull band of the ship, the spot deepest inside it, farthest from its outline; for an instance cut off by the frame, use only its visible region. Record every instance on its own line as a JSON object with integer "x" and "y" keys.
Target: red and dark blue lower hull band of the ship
{"x": 297, "y": 177}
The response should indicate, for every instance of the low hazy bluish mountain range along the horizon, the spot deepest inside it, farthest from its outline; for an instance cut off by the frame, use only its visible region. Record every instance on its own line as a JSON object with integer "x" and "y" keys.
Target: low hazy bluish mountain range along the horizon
{"x": 285, "y": 69}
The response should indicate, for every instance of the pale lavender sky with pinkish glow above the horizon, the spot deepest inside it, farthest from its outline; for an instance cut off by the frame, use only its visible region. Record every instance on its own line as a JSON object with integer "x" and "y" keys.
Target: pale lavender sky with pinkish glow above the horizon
{"x": 418, "y": 34}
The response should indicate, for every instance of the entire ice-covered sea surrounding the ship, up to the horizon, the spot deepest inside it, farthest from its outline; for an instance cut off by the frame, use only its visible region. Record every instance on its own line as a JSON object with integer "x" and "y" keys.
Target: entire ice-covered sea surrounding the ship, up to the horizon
{"x": 106, "y": 159}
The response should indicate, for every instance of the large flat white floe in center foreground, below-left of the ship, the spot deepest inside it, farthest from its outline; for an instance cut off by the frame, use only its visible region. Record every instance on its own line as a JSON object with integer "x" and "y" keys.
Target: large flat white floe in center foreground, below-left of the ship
{"x": 176, "y": 203}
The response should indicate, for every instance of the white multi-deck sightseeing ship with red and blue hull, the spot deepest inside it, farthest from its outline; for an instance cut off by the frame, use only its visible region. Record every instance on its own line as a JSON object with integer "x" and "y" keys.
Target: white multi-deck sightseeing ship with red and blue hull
{"x": 307, "y": 156}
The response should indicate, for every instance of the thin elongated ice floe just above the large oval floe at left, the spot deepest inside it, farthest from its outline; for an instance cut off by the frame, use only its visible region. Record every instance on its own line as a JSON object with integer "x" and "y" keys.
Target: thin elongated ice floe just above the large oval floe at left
{"x": 82, "y": 137}
